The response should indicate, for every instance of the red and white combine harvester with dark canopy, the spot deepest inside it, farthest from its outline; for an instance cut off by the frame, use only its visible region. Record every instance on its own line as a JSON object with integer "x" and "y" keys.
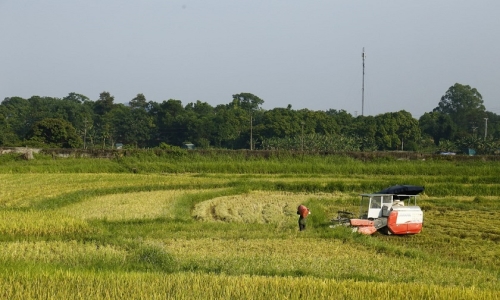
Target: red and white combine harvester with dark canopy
{"x": 391, "y": 211}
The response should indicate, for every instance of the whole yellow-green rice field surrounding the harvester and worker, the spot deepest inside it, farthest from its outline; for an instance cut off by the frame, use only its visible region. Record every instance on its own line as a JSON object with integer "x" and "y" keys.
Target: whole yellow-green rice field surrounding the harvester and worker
{"x": 210, "y": 235}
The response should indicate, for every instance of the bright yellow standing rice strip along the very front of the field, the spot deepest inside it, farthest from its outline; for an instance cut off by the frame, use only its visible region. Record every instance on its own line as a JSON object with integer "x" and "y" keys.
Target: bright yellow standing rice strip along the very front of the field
{"x": 70, "y": 285}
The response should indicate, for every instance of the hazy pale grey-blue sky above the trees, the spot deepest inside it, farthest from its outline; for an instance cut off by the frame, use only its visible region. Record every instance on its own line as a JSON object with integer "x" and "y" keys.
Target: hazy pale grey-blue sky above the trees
{"x": 298, "y": 52}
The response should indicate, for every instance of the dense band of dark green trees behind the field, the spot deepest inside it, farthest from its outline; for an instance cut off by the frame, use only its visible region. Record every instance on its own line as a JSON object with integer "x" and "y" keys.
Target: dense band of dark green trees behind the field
{"x": 459, "y": 121}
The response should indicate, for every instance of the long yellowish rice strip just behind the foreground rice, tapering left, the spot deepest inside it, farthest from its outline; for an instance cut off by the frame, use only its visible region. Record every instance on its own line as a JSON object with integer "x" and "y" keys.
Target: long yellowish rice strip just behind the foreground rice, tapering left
{"x": 318, "y": 258}
